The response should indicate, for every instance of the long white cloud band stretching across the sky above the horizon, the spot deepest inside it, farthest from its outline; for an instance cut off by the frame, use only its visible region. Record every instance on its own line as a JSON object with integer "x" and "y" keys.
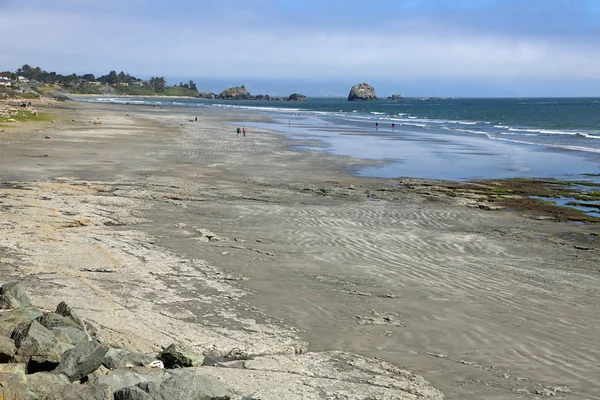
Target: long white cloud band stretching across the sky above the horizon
{"x": 81, "y": 43}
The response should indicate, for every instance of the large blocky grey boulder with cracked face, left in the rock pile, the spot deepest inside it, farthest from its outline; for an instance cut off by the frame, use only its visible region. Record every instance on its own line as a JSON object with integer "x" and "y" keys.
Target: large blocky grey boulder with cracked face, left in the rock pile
{"x": 37, "y": 346}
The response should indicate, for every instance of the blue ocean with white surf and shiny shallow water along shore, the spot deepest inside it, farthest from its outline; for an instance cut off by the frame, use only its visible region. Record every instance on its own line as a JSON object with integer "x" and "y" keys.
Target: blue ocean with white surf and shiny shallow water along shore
{"x": 440, "y": 138}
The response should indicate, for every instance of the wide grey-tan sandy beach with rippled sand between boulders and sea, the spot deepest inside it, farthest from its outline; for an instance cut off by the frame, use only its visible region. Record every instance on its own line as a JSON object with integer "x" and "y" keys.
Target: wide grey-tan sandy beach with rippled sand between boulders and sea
{"x": 159, "y": 229}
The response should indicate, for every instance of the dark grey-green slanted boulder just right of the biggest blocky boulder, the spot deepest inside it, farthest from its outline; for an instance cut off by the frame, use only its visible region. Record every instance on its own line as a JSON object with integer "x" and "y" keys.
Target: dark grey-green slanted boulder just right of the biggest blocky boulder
{"x": 81, "y": 360}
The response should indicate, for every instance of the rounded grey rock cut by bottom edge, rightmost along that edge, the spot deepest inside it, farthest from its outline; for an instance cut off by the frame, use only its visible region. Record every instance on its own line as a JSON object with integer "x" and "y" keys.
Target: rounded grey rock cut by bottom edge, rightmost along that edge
{"x": 187, "y": 387}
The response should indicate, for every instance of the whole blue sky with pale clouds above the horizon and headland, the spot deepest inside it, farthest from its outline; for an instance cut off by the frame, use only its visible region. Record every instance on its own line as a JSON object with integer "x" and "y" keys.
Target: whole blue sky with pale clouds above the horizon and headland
{"x": 461, "y": 48}
